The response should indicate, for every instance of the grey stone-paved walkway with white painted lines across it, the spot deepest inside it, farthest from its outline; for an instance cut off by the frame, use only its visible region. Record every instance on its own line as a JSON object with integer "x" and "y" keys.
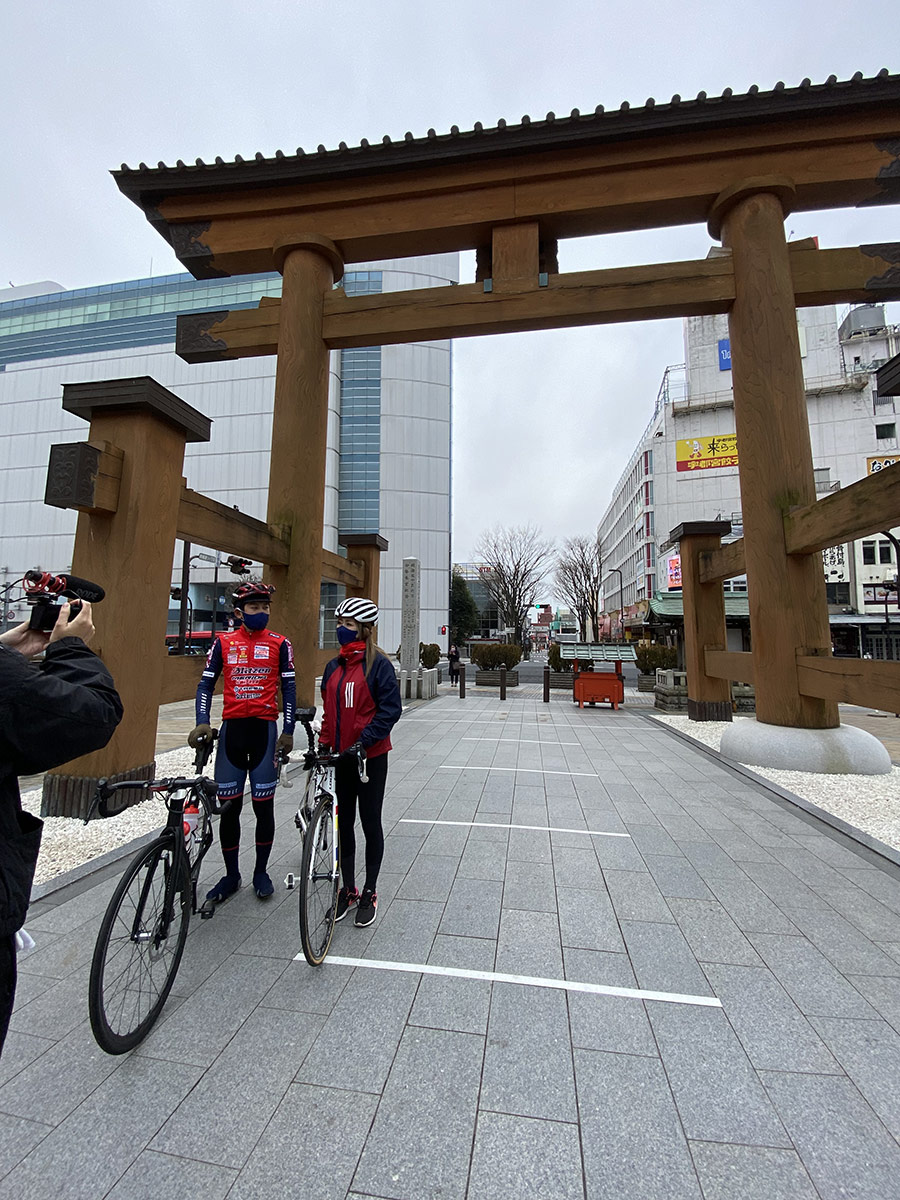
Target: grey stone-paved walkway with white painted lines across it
{"x": 589, "y": 859}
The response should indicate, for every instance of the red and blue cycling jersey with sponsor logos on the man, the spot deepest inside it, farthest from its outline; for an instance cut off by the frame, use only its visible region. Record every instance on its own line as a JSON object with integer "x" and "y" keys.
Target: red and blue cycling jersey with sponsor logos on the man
{"x": 253, "y": 665}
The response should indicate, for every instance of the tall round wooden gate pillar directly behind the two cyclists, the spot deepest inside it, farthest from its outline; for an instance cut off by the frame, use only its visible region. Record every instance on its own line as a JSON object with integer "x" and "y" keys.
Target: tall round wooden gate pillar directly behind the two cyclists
{"x": 310, "y": 267}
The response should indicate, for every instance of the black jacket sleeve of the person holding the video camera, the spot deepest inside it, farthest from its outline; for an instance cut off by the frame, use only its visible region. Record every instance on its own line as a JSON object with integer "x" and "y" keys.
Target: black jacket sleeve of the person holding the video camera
{"x": 65, "y": 709}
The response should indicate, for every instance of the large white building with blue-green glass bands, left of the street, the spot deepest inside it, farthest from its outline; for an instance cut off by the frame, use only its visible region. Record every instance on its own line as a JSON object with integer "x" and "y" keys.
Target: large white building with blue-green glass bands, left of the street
{"x": 388, "y": 467}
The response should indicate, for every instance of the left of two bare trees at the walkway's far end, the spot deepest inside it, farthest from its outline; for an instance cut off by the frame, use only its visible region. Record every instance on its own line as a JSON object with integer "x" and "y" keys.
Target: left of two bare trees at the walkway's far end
{"x": 519, "y": 560}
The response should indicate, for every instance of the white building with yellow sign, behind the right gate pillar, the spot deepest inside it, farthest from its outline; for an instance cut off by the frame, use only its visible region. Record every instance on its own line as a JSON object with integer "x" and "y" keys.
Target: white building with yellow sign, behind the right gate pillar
{"x": 686, "y": 469}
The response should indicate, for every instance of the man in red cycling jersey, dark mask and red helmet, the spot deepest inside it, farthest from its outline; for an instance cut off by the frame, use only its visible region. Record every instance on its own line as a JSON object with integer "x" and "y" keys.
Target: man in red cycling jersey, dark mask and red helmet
{"x": 254, "y": 662}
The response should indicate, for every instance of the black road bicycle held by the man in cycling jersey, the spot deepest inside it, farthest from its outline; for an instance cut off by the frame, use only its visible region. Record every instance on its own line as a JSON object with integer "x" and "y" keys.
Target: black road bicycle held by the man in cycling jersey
{"x": 143, "y": 933}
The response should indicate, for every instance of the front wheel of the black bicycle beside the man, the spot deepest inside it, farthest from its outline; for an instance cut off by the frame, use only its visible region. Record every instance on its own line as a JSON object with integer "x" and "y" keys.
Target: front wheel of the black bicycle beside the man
{"x": 140, "y": 946}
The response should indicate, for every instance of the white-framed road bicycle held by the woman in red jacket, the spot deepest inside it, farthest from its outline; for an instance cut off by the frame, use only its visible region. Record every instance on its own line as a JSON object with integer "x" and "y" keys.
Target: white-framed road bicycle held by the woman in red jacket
{"x": 320, "y": 878}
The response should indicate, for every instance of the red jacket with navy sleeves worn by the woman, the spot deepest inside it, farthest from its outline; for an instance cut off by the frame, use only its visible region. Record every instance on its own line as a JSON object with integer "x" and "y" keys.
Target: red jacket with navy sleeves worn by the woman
{"x": 356, "y": 707}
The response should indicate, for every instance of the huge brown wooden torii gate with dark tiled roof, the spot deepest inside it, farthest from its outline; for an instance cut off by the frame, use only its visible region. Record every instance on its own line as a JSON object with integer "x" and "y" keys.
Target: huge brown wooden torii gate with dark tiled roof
{"x": 740, "y": 164}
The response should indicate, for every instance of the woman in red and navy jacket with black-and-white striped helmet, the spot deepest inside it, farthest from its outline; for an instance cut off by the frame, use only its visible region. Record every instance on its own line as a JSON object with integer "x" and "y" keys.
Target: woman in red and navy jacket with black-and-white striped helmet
{"x": 361, "y": 705}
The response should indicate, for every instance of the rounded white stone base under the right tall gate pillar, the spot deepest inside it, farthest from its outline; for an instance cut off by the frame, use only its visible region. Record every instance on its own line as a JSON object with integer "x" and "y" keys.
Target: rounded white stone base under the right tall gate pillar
{"x": 845, "y": 751}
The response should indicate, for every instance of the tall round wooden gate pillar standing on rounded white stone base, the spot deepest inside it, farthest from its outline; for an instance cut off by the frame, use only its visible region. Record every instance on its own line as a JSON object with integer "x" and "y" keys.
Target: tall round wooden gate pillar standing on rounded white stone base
{"x": 789, "y": 611}
